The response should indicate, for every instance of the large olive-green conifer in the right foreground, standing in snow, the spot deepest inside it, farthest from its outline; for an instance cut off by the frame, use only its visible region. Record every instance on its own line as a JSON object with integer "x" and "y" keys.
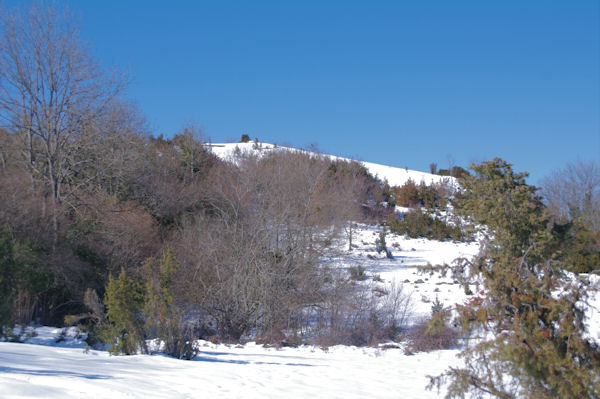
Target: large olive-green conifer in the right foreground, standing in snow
{"x": 531, "y": 329}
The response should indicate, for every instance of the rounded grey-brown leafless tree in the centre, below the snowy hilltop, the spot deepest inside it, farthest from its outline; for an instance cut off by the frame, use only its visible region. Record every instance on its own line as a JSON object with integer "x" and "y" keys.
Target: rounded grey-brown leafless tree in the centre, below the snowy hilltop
{"x": 254, "y": 258}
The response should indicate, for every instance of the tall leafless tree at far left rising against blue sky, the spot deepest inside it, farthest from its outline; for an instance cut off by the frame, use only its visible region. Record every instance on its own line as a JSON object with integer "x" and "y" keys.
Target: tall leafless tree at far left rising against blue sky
{"x": 51, "y": 94}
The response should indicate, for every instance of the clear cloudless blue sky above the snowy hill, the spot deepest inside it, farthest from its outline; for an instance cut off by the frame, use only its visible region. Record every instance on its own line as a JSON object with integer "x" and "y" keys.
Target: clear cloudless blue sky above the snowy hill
{"x": 403, "y": 83}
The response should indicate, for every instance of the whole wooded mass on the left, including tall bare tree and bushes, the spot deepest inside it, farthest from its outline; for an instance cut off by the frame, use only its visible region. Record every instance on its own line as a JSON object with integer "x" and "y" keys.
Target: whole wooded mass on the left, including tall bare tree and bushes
{"x": 139, "y": 237}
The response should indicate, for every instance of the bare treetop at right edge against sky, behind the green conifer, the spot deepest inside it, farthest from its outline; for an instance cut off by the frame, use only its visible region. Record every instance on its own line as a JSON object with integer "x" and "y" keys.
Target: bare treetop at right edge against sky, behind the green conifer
{"x": 574, "y": 192}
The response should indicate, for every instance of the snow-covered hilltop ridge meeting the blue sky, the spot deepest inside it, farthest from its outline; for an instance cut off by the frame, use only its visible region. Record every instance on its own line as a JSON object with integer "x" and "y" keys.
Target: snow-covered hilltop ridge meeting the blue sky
{"x": 395, "y": 176}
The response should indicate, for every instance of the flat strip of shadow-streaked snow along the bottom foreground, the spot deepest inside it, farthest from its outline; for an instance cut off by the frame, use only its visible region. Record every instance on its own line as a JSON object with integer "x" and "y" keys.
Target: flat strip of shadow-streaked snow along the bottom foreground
{"x": 33, "y": 371}
